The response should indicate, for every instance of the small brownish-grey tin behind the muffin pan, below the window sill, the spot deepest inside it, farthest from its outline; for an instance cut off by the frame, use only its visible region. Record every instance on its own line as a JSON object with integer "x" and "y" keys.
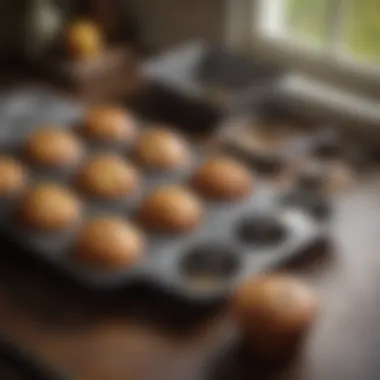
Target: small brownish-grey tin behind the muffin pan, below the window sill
{"x": 269, "y": 130}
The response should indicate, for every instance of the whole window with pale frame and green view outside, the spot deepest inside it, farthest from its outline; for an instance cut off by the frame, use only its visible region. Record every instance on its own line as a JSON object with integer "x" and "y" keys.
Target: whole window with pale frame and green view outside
{"x": 337, "y": 40}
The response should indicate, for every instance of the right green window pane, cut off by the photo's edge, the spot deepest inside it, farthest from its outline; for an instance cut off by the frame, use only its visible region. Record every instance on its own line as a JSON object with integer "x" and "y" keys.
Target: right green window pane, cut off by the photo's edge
{"x": 362, "y": 32}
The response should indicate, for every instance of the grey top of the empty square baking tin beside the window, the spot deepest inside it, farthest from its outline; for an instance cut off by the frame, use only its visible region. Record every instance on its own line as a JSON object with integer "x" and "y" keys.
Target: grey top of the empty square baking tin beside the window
{"x": 195, "y": 67}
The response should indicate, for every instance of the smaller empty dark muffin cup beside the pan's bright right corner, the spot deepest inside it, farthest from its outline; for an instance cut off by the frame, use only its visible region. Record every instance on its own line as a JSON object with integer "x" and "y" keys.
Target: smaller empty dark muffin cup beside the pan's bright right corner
{"x": 261, "y": 230}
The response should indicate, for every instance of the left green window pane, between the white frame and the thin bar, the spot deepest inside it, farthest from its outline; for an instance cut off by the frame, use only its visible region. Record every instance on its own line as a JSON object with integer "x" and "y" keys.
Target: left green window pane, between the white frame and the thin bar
{"x": 307, "y": 19}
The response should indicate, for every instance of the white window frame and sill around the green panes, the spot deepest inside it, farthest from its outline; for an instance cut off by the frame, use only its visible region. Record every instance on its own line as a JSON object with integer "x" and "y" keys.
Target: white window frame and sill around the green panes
{"x": 245, "y": 31}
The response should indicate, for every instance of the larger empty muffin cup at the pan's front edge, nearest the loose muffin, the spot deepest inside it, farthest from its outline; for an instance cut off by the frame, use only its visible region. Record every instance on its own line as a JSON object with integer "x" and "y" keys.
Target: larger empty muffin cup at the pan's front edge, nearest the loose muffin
{"x": 210, "y": 265}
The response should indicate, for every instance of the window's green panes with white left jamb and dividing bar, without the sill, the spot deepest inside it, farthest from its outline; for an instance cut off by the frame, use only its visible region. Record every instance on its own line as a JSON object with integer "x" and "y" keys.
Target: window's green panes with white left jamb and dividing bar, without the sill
{"x": 346, "y": 28}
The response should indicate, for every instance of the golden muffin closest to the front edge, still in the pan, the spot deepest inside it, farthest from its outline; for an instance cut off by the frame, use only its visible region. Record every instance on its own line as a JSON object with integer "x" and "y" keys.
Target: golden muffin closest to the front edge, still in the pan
{"x": 109, "y": 243}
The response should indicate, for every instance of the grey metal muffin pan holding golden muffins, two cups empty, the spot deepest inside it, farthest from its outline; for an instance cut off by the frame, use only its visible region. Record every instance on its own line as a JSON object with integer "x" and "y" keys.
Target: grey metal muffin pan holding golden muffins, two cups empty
{"x": 201, "y": 265}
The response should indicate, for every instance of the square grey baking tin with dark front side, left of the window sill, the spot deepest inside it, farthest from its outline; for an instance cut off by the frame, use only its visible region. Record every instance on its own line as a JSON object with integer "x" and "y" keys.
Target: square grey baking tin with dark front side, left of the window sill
{"x": 201, "y": 81}
